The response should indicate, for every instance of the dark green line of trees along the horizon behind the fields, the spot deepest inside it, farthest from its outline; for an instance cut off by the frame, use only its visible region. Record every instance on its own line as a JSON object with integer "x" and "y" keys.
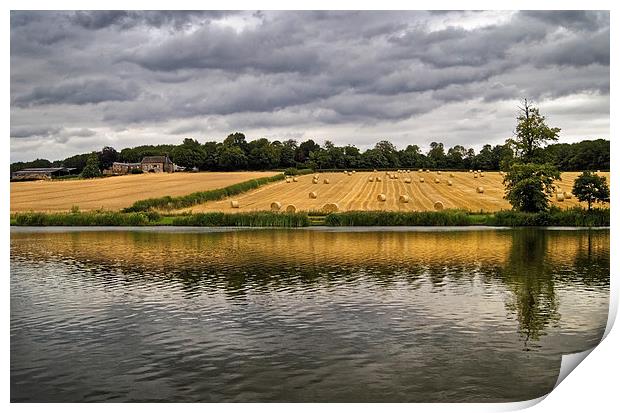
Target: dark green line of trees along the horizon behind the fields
{"x": 236, "y": 153}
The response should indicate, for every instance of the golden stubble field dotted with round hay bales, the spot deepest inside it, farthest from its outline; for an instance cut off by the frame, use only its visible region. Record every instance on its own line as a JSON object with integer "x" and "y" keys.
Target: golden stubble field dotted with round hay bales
{"x": 355, "y": 192}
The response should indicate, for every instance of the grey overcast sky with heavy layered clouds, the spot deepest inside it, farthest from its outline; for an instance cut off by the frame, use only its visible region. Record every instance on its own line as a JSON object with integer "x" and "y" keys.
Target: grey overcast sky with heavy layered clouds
{"x": 84, "y": 80}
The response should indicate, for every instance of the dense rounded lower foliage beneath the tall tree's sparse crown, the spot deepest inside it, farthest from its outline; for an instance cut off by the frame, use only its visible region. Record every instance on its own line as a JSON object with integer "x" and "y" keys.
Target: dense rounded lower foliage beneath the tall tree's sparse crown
{"x": 529, "y": 185}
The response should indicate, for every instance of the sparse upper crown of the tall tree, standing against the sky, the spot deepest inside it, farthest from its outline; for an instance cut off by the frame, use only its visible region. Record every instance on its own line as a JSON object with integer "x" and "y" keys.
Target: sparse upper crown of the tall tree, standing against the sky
{"x": 532, "y": 133}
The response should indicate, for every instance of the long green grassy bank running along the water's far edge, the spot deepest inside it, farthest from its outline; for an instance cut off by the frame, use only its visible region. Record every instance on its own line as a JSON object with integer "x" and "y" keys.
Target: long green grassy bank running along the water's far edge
{"x": 576, "y": 217}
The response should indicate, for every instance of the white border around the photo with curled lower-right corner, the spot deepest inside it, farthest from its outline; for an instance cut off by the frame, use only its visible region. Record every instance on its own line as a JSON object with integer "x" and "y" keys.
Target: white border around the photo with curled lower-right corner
{"x": 592, "y": 386}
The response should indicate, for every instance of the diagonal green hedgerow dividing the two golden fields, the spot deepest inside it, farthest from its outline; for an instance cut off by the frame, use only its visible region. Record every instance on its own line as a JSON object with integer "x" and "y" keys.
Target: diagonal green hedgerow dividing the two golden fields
{"x": 195, "y": 198}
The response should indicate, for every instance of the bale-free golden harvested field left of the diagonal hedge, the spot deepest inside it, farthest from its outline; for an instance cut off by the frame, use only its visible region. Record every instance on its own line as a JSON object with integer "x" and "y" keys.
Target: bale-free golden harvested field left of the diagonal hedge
{"x": 118, "y": 192}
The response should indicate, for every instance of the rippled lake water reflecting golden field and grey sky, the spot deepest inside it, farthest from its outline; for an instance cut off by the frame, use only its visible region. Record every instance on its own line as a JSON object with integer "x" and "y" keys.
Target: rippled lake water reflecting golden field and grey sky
{"x": 314, "y": 315}
